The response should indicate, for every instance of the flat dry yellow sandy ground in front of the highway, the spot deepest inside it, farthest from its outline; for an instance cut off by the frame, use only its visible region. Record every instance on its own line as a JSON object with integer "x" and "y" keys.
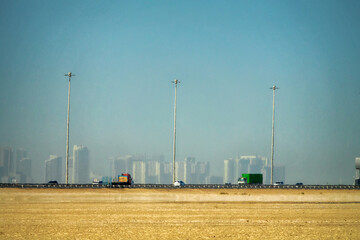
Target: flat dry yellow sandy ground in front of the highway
{"x": 179, "y": 214}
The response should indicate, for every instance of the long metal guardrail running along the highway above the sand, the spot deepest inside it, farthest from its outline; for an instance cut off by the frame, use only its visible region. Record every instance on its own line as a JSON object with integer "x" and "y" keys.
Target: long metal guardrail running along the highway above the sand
{"x": 170, "y": 186}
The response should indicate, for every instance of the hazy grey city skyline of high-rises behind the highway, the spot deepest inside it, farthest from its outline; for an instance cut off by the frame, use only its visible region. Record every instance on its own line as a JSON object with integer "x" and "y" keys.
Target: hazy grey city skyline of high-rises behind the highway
{"x": 15, "y": 167}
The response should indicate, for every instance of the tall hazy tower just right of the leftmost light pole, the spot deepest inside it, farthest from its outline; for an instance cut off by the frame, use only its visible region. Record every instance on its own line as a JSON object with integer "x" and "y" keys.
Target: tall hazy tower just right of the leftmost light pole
{"x": 81, "y": 165}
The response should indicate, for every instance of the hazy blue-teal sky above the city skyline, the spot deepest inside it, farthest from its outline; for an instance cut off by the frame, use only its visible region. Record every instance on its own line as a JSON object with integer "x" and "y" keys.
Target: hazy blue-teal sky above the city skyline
{"x": 225, "y": 53}
